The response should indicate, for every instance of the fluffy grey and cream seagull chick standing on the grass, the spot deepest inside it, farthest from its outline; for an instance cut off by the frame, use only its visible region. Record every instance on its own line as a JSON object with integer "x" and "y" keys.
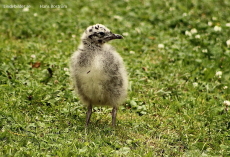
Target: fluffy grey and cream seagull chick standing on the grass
{"x": 98, "y": 72}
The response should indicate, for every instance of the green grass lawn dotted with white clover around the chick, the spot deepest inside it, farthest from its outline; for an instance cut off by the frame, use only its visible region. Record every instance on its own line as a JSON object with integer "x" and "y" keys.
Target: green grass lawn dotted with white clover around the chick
{"x": 178, "y": 63}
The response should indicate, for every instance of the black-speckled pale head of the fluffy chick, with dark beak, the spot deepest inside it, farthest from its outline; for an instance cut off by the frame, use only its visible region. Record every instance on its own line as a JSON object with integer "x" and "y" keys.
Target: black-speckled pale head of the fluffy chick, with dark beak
{"x": 99, "y": 34}
